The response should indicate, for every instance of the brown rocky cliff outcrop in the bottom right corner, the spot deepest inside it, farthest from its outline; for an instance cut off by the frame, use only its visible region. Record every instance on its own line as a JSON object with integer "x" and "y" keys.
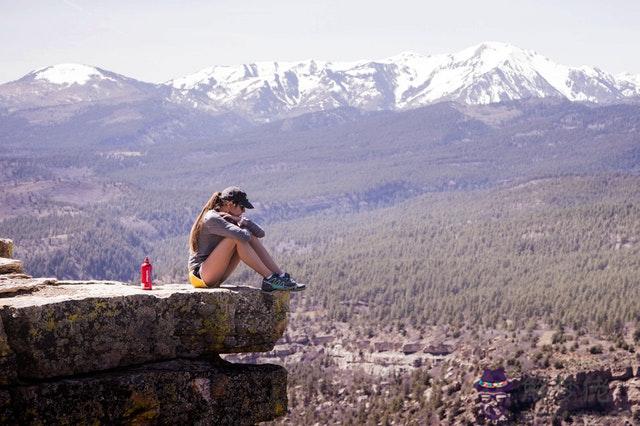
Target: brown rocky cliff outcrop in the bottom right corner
{"x": 602, "y": 394}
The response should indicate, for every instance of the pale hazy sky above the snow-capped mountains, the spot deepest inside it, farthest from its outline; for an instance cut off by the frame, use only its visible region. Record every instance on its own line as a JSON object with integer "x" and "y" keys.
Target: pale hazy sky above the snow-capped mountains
{"x": 155, "y": 40}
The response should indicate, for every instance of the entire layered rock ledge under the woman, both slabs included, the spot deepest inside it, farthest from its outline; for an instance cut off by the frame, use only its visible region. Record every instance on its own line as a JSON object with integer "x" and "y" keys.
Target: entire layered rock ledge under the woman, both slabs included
{"x": 108, "y": 352}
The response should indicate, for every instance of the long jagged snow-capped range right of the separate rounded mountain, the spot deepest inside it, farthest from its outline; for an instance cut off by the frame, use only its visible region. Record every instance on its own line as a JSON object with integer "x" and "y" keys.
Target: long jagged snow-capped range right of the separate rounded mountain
{"x": 486, "y": 73}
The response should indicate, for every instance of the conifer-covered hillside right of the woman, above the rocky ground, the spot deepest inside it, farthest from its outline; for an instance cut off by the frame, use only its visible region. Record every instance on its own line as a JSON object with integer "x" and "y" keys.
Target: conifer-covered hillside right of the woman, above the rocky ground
{"x": 562, "y": 250}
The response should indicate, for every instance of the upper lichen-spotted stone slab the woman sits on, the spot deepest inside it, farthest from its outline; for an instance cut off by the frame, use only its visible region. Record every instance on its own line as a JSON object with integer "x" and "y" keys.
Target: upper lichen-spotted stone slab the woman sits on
{"x": 63, "y": 330}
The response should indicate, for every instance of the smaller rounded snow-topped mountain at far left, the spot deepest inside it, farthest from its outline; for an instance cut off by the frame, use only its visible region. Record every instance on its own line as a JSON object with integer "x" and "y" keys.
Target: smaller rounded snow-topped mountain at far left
{"x": 72, "y": 84}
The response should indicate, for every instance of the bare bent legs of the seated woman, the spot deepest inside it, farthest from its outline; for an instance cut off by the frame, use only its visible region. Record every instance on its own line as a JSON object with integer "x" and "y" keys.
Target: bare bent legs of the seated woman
{"x": 220, "y": 263}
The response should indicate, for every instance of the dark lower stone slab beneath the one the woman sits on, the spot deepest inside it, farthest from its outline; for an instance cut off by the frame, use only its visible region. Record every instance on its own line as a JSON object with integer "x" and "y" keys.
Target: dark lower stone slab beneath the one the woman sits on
{"x": 173, "y": 392}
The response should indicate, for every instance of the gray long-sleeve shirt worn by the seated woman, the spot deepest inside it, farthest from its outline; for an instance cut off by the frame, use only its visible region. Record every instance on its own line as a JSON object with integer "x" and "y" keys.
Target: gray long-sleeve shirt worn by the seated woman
{"x": 214, "y": 229}
